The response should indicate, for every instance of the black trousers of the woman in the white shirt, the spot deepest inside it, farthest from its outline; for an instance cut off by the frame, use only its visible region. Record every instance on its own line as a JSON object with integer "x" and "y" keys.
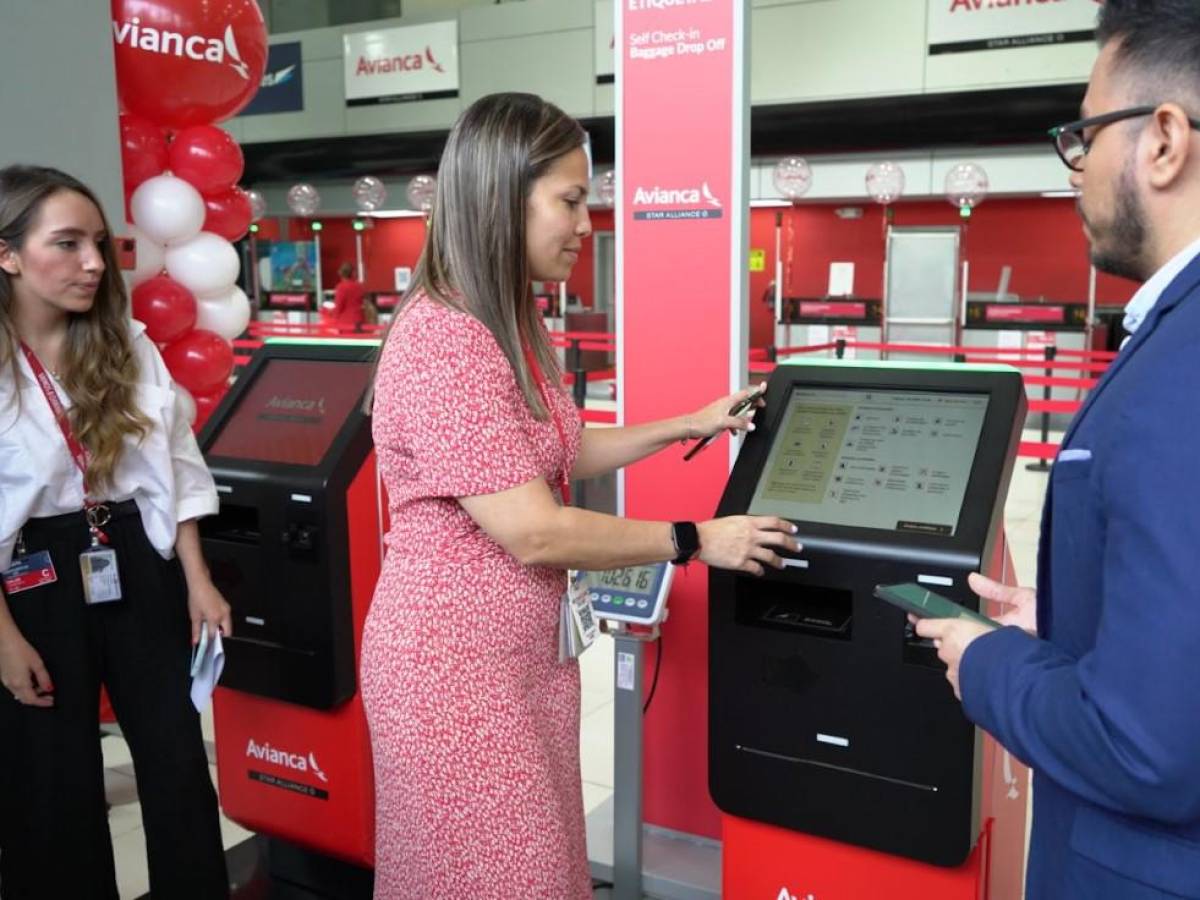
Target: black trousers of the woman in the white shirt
{"x": 55, "y": 839}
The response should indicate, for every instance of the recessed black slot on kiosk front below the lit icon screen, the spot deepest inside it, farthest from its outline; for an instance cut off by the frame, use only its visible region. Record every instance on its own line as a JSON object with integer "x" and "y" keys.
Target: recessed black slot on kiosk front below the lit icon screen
{"x": 814, "y": 610}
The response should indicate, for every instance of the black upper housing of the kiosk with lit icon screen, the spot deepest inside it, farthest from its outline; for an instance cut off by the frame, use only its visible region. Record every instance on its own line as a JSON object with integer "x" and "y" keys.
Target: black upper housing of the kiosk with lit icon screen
{"x": 827, "y": 715}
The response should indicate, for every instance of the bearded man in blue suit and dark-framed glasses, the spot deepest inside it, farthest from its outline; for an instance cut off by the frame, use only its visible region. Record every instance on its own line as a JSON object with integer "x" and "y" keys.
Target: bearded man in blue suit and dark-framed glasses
{"x": 1103, "y": 701}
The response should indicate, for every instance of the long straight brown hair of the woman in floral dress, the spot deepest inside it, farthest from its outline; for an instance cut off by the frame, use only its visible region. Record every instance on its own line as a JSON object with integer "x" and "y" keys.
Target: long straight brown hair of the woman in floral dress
{"x": 476, "y": 257}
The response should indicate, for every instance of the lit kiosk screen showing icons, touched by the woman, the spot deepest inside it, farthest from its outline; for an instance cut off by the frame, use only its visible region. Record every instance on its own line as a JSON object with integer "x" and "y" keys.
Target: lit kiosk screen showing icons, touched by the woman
{"x": 873, "y": 459}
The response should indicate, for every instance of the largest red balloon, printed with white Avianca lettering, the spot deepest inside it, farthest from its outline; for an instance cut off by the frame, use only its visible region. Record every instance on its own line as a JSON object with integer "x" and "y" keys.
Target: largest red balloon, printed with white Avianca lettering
{"x": 183, "y": 63}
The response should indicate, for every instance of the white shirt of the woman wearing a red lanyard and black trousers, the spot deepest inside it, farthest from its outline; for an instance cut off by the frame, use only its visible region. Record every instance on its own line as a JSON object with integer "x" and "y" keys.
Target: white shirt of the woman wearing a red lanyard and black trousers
{"x": 165, "y": 475}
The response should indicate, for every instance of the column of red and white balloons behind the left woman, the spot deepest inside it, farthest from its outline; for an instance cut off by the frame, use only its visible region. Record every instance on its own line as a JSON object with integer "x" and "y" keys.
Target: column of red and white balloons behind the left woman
{"x": 183, "y": 65}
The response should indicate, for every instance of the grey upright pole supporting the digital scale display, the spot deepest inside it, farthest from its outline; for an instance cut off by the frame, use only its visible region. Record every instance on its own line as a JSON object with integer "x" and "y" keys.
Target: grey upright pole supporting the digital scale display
{"x": 627, "y": 794}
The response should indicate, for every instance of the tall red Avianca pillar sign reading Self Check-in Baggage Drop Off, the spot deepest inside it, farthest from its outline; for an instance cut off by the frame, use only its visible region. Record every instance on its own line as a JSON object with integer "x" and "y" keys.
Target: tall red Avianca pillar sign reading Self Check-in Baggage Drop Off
{"x": 682, "y": 200}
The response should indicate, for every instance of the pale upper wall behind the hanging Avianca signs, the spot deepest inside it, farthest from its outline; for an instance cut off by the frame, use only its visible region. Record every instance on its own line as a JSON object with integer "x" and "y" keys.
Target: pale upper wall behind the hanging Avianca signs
{"x": 801, "y": 51}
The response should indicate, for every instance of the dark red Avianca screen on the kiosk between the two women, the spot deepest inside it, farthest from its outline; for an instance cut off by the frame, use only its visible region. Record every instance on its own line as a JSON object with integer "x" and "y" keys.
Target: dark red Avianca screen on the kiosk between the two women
{"x": 293, "y": 411}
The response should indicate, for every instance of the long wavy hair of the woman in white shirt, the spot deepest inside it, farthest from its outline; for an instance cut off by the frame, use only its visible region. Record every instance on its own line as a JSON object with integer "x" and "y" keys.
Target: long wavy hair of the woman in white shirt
{"x": 99, "y": 370}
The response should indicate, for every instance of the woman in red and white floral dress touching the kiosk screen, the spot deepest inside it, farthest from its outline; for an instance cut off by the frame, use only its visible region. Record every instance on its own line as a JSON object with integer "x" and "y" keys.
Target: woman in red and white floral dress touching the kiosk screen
{"x": 475, "y": 721}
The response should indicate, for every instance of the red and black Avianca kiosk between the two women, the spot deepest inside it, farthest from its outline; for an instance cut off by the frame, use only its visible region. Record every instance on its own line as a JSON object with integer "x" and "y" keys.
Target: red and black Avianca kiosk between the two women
{"x": 296, "y": 549}
